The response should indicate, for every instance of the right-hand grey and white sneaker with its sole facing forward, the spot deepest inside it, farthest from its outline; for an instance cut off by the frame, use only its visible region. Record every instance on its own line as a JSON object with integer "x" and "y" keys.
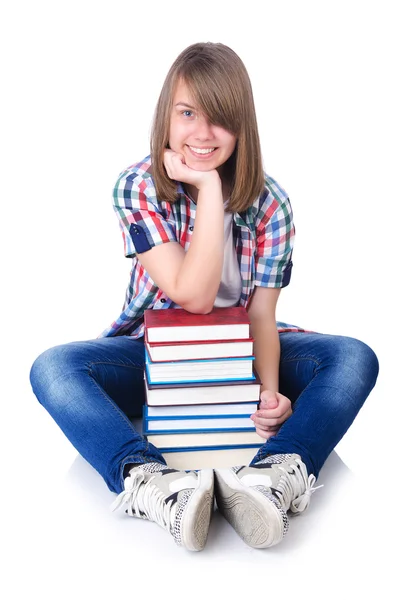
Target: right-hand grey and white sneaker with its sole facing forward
{"x": 255, "y": 499}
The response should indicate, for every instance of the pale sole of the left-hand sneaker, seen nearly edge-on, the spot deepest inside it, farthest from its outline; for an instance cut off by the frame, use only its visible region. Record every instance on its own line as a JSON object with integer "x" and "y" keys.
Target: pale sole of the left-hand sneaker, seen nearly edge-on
{"x": 197, "y": 515}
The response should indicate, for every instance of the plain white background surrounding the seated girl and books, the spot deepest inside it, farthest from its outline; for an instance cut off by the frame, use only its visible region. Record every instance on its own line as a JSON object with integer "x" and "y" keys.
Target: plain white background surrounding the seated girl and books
{"x": 80, "y": 80}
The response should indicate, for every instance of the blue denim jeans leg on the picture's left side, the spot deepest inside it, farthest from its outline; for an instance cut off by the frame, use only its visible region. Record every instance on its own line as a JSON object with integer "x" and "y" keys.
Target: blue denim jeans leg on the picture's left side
{"x": 90, "y": 389}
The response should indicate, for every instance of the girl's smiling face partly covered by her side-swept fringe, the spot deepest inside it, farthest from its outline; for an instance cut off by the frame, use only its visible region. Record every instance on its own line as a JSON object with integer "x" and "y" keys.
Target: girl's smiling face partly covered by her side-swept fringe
{"x": 204, "y": 146}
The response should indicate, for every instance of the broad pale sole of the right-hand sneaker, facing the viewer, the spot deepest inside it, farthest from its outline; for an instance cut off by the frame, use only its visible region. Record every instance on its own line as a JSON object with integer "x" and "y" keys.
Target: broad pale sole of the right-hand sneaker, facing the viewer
{"x": 256, "y": 518}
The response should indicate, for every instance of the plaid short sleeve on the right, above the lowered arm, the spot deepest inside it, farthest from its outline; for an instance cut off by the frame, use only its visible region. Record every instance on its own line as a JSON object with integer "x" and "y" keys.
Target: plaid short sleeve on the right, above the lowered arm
{"x": 275, "y": 237}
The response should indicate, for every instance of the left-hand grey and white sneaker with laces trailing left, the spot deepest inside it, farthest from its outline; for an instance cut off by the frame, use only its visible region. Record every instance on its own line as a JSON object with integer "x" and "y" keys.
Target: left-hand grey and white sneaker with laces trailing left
{"x": 179, "y": 501}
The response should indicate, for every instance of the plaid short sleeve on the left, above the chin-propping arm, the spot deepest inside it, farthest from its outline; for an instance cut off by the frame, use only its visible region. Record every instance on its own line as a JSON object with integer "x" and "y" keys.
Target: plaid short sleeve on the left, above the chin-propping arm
{"x": 143, "y": 222}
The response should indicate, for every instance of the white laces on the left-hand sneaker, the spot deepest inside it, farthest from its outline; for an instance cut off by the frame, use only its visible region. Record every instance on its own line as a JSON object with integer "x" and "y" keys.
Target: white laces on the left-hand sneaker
{"x": 144, "y": 500}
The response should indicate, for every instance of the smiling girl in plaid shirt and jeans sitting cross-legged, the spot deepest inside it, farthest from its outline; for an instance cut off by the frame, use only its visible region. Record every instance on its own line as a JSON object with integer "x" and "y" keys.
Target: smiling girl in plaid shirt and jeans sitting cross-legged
{"x": 204, "y": 226}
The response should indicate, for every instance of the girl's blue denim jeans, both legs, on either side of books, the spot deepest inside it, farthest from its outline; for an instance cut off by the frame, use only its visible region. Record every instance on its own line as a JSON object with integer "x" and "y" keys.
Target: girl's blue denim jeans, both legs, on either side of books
{"x": 92, "y": 389}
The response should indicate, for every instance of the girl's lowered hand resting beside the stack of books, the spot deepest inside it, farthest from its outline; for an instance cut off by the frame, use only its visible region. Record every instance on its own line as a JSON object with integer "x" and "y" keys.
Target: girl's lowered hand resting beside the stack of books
{"x": 273, "y": 410}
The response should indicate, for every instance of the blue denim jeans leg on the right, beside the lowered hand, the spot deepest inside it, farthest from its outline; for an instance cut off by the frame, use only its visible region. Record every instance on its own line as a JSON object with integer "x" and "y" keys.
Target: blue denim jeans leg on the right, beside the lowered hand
{"x": 327, "y": 378}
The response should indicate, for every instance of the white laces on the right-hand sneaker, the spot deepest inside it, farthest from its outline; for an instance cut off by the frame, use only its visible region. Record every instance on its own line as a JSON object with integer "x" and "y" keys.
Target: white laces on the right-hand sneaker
{"x": 295, "y": 487}
